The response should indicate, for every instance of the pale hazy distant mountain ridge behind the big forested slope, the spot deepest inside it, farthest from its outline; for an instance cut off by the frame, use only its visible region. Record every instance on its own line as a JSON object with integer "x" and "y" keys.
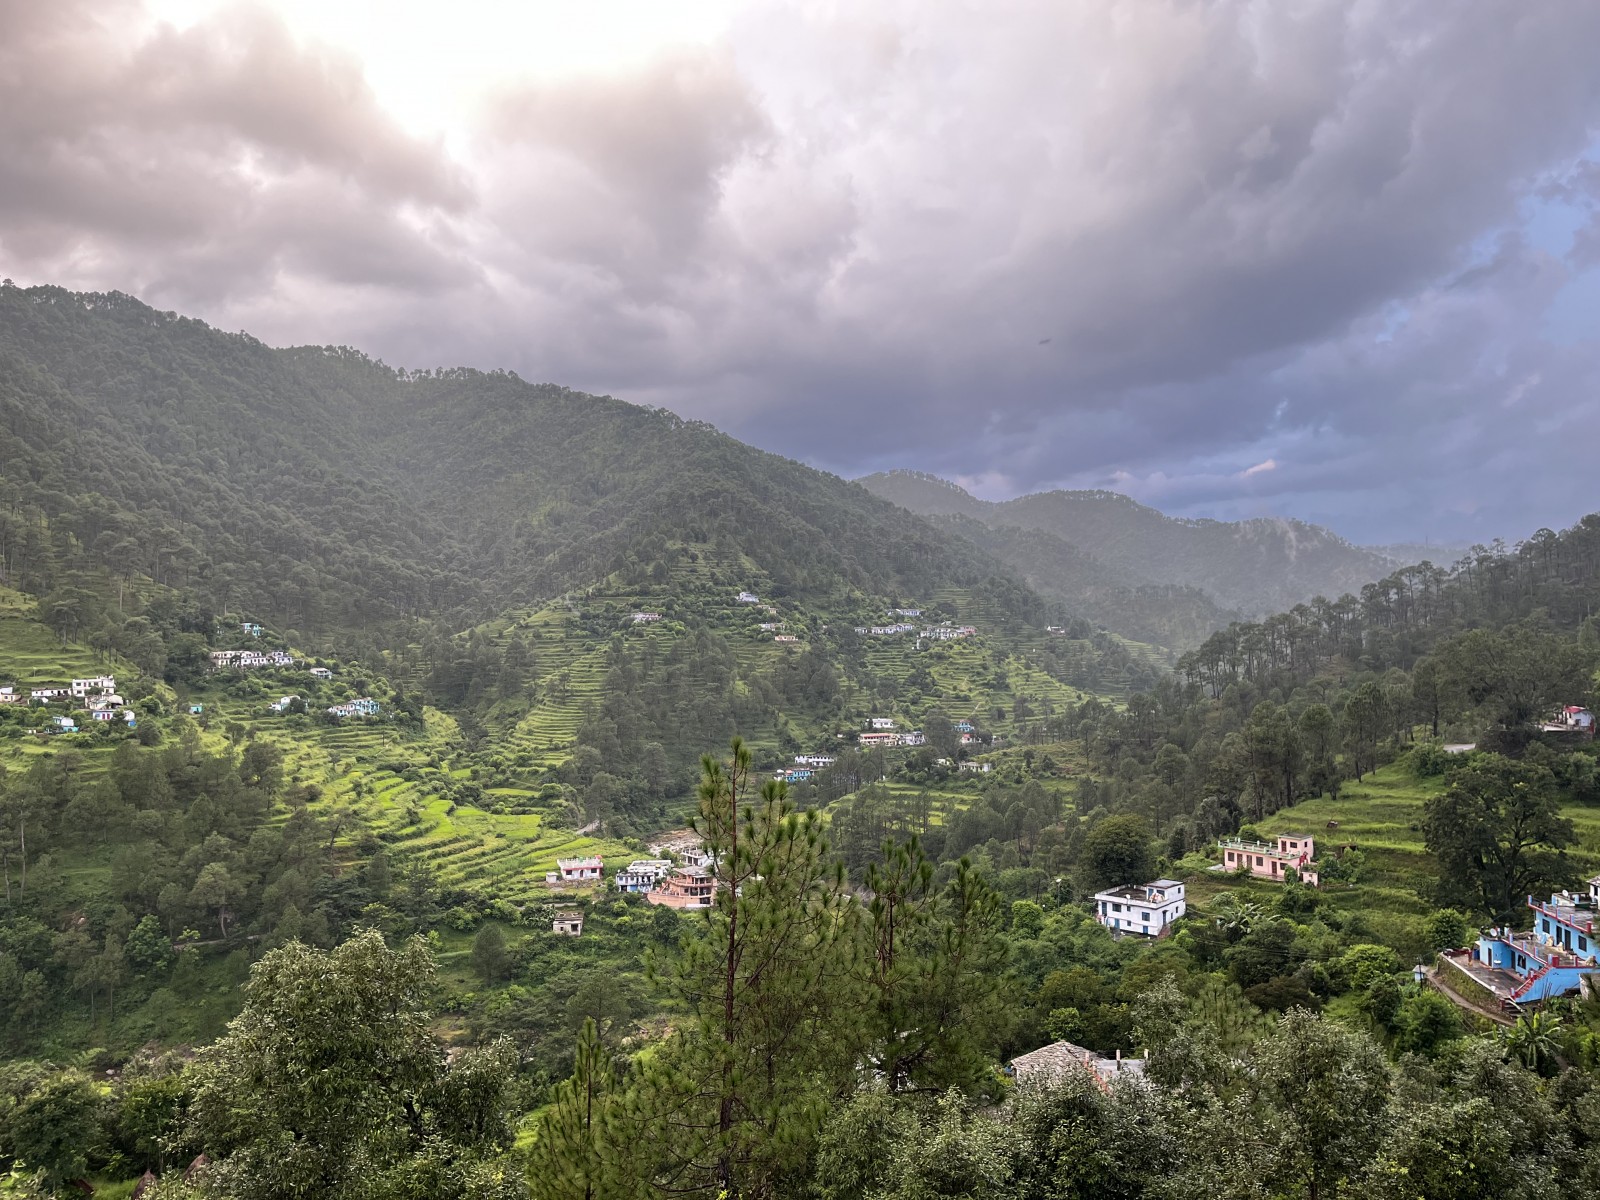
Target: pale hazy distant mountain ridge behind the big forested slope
{"x": 1257, "y": 566}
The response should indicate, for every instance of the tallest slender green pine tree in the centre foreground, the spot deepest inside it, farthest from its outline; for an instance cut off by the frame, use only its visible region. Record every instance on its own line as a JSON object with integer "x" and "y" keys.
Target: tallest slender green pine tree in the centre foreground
{"x": 735, "y": 1100}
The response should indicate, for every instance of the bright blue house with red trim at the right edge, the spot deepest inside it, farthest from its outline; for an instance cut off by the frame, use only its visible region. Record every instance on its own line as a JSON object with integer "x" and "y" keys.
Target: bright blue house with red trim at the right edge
{"x": 1548, "y": 961}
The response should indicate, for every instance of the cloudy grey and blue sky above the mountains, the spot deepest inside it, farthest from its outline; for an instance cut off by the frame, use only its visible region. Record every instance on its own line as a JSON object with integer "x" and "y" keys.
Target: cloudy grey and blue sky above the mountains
{"x": 1338, "y": 262}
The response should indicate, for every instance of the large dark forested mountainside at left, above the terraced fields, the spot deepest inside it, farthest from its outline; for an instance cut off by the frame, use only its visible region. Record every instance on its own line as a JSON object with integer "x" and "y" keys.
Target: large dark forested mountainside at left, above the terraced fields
{"x": 326, "y": 490}
